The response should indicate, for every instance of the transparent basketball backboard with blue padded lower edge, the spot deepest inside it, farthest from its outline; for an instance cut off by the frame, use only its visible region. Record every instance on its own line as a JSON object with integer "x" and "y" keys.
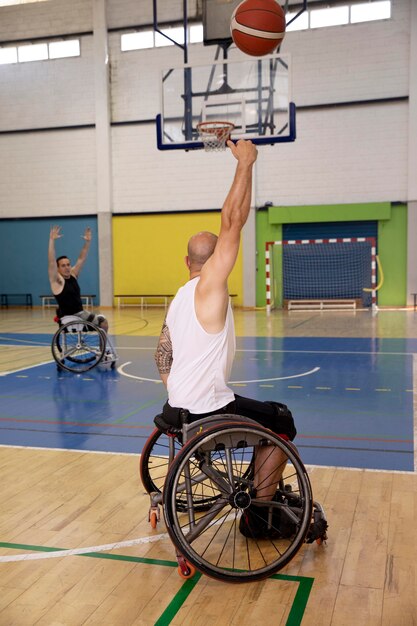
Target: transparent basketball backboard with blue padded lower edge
{"x": 253, "y": 94}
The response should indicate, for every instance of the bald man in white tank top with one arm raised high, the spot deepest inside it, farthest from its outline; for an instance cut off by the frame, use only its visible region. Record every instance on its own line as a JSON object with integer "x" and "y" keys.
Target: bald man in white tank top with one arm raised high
{"x": 197, "y": 343}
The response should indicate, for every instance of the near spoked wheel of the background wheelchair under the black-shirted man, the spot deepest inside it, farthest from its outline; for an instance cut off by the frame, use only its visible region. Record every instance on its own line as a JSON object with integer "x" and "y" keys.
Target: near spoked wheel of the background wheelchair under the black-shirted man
{"x": 78, "y": 347}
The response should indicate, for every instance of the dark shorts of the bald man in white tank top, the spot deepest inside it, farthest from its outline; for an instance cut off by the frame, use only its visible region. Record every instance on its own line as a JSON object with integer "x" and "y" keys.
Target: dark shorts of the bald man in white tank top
{"x": 273, "y": 415}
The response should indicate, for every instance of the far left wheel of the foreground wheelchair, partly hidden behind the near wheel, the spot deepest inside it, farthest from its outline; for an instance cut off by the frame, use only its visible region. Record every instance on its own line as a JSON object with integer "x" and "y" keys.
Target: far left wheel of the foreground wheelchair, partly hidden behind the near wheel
{"x": 157, "y": 455}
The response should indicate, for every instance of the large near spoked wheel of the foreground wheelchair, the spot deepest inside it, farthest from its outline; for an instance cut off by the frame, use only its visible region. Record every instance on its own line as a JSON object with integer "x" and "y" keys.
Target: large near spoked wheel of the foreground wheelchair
{"x": 215, "y": 463}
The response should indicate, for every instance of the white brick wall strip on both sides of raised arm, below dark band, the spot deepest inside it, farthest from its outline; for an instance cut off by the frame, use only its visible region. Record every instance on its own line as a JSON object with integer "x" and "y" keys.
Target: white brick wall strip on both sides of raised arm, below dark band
{"x": 340, "y": 157}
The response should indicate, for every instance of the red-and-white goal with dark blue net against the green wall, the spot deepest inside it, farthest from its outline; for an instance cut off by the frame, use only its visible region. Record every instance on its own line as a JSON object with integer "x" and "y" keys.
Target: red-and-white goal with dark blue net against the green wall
{"x": 321, "y": 269}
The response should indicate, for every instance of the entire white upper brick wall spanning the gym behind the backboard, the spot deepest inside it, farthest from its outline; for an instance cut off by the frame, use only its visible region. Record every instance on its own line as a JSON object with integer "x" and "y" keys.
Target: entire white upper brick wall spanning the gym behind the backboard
{"x": 348, "y": 154}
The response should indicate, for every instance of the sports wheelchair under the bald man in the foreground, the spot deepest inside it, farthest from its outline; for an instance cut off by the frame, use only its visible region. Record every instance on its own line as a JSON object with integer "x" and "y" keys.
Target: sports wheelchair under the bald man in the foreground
{"x": 203, "y": 476}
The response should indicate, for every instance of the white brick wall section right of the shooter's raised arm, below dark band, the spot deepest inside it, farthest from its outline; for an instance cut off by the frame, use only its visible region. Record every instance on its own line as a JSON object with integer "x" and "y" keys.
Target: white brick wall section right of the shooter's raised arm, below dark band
{"x": 341, "y": 155}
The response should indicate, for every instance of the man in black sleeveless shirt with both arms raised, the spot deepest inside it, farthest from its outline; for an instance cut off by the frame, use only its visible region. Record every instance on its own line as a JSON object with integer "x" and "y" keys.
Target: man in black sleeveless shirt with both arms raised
{"x": 64, "y": 283}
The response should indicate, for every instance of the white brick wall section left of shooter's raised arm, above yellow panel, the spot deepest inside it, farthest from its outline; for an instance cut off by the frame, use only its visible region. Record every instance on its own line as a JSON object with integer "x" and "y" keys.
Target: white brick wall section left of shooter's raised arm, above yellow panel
{"x": 146, "y": 180}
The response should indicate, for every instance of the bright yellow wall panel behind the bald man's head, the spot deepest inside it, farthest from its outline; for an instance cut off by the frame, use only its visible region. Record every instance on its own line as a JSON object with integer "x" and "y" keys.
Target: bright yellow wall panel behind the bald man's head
{"x": 149, "y": 252}
